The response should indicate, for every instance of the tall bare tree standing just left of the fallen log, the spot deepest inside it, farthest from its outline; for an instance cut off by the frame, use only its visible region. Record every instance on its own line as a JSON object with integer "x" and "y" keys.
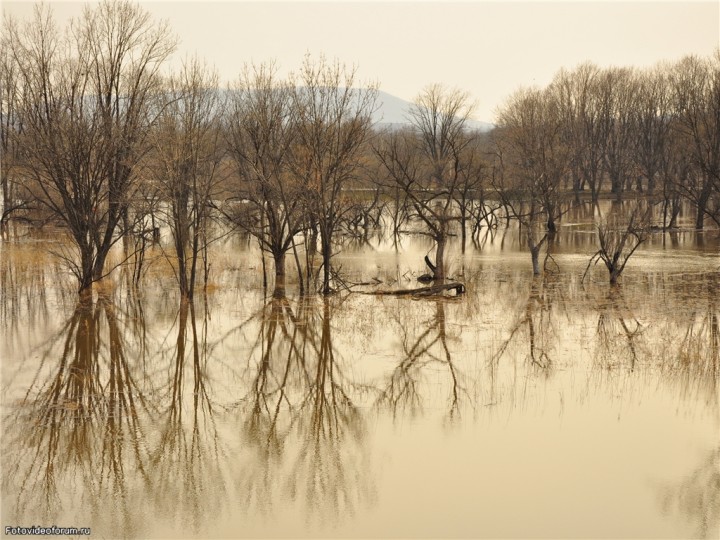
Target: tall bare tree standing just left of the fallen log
{"x": 333, "y": 124}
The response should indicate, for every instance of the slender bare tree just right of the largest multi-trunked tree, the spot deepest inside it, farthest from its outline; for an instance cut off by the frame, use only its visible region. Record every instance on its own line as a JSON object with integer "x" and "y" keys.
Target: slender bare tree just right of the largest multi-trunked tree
{"x": 185, "y": 163}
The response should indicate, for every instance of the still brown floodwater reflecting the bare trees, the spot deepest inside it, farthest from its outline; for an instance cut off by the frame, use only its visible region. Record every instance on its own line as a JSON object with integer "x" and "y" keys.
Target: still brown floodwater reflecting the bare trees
{"x": 526, "y": 408}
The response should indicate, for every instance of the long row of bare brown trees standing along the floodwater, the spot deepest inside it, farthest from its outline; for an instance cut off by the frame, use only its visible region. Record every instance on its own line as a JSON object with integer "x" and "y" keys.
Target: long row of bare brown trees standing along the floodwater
{"x": 99, "y": 139}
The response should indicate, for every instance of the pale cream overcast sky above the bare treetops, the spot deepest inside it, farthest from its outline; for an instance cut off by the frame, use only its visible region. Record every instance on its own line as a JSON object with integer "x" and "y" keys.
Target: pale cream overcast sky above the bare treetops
{"x": 486, "y": 48}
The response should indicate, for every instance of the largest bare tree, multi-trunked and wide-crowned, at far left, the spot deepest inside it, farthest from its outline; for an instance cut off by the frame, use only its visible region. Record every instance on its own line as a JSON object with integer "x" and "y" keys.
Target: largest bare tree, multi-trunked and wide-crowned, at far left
{"x": 85, "y": 107}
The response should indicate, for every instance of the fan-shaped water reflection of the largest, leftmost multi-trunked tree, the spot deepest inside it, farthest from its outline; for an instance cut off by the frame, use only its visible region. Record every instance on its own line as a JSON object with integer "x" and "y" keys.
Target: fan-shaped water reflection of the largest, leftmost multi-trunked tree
{"x": 66, "y": 440}
